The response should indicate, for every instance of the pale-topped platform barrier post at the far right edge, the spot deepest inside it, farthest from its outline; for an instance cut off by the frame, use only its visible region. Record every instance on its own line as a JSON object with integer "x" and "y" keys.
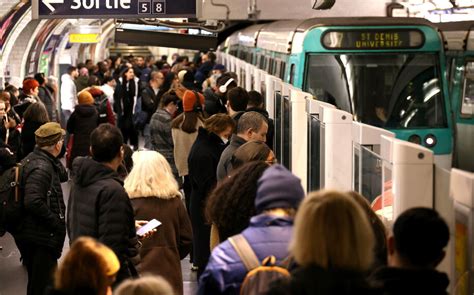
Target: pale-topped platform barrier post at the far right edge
{"x": 462, "y": 192}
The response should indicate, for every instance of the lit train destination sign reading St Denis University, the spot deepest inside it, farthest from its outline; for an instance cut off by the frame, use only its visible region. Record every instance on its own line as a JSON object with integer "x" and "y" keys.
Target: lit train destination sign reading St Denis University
{"x": 373, "y": 39}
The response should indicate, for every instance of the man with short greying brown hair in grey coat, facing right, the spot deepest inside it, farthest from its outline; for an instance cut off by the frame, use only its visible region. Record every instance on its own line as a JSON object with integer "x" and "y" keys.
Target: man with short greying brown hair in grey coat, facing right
{"x": 251, "y": 126}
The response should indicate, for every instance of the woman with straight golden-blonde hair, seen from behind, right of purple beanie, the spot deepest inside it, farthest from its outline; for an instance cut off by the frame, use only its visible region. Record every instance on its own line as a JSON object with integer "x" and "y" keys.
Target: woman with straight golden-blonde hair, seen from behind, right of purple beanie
{"x": 332, "y": 244}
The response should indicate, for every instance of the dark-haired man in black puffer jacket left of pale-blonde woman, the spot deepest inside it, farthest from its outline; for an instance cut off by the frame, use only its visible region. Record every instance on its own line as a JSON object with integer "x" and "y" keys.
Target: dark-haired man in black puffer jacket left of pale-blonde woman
{"x": 98, "y": 205}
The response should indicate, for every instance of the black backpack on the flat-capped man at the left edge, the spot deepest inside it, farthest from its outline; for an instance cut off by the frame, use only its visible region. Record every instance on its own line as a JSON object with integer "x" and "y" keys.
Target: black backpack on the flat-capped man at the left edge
{"x": 11, "y": 207}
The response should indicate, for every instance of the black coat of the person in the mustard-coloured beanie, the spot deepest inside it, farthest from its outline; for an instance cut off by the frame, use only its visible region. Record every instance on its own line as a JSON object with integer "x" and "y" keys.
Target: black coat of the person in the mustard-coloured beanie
{"x": 82, "y": 122}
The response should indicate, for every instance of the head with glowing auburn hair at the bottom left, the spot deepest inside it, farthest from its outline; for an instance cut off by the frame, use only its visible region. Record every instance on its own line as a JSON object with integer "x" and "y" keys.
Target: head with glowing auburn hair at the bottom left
{"x": 89, "y": 267}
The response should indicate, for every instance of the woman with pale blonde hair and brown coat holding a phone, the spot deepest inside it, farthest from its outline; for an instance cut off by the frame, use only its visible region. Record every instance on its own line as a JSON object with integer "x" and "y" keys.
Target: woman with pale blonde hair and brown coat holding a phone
{"x": 154, "y": 193}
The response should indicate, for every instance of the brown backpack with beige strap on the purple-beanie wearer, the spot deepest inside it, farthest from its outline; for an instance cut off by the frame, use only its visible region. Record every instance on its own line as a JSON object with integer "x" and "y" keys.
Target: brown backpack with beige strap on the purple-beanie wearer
{"x": 259, "y": 276}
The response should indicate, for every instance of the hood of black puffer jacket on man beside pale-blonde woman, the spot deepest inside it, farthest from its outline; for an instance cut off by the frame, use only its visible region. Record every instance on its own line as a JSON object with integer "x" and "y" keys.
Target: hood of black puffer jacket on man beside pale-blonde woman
{"x": 86, "y": 171}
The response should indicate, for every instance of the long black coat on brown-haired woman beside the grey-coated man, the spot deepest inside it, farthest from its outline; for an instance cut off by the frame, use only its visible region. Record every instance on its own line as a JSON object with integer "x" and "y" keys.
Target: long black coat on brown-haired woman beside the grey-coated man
{"x": 202, "y": 162}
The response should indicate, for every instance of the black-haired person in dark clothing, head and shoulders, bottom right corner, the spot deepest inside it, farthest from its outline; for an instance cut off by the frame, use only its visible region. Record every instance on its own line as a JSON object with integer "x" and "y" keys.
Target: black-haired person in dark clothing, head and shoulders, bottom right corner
{"x": 414, "y": 250}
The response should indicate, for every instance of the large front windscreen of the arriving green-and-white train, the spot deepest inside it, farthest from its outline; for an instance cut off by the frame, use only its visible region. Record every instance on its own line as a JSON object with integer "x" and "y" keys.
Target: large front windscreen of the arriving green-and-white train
{"x": 387, "y": 90}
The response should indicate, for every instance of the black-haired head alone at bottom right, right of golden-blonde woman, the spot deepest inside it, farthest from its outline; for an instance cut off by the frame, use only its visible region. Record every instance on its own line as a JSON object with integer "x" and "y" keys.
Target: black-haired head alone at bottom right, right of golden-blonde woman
{"x": 419, "y": 238}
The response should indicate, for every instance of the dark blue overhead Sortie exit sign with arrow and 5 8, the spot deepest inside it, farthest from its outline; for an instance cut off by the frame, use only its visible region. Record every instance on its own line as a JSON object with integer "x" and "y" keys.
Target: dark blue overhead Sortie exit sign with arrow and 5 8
{"x": 46, "y": 9}
